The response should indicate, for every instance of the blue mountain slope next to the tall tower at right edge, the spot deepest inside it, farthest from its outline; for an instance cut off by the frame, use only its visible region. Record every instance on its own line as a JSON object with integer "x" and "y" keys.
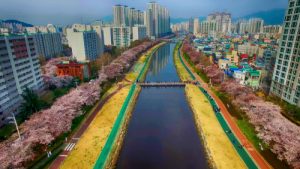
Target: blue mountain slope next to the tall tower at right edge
{"x": 271, "y": 17}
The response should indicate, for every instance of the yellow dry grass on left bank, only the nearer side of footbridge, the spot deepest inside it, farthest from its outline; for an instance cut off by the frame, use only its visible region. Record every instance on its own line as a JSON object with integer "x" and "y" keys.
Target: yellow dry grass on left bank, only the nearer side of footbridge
{"x": 87, "y": 150}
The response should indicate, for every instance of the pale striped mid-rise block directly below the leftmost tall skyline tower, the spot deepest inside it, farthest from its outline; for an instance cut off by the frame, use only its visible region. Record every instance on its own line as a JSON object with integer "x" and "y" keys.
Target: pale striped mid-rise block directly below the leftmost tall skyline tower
{"x": 121, "y": 36}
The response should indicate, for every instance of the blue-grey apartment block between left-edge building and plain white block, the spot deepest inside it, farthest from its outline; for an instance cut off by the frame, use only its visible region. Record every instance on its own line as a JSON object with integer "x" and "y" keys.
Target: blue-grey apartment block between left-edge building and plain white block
{"x": 48, "y": 40}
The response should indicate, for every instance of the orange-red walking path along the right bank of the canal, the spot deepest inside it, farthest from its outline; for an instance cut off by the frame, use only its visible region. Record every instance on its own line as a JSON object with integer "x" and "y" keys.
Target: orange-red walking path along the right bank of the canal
{"x": 254, "y": 154}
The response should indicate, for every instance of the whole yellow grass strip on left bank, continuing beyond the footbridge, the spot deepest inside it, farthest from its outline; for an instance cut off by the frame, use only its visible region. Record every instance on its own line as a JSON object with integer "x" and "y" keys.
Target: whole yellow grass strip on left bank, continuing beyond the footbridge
{"x": 94, "y": 139}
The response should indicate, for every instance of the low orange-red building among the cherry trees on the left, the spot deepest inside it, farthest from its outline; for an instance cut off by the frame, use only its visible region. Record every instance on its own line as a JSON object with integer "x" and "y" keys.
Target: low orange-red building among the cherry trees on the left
{"x": 75, "y": 69}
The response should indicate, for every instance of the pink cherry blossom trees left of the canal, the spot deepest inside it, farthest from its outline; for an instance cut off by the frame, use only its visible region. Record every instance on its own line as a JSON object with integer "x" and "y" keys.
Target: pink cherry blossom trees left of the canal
{"x": 43, "y": 127}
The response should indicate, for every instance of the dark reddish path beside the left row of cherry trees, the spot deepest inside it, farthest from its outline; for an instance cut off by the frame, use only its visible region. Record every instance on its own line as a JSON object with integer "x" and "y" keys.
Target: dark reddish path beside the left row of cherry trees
{"x": 58, "y": 161}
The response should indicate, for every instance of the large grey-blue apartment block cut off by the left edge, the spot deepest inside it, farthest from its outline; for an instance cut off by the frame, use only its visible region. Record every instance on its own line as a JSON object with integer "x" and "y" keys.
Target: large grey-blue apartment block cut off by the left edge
{"x": 19, "y": 69}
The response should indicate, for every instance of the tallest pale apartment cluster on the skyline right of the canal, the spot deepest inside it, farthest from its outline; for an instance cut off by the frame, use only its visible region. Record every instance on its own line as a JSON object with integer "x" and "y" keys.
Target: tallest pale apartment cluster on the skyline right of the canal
{"x": 223, "y": 21}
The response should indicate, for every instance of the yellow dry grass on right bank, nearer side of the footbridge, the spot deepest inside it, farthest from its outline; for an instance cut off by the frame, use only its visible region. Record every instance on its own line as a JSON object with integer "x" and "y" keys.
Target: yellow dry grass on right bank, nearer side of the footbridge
{"x": 221, "y": 150}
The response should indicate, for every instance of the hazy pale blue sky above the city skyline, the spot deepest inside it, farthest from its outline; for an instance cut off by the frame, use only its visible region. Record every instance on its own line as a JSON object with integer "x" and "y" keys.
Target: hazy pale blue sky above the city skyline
{"x": 71, "y": 11}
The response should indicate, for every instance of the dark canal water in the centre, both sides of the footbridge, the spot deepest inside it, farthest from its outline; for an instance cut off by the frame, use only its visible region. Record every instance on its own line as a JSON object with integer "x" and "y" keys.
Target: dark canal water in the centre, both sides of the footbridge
{"x": 161, "y": 133}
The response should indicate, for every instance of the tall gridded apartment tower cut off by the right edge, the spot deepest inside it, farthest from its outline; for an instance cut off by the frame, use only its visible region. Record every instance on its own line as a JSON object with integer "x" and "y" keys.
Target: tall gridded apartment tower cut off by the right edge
{"x": 286, "y": 75}
